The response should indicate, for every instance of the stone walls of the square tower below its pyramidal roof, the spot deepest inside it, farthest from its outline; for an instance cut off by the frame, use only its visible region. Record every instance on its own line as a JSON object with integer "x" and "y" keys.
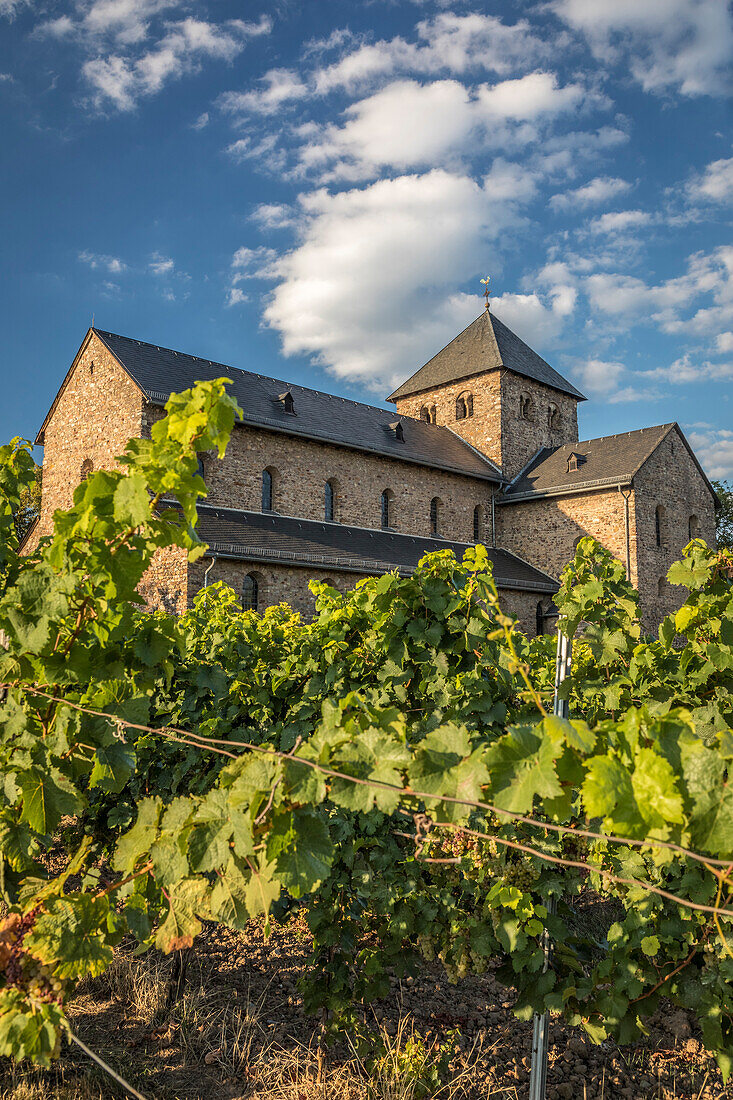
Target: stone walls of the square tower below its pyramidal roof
{"x": 497, "y": 427}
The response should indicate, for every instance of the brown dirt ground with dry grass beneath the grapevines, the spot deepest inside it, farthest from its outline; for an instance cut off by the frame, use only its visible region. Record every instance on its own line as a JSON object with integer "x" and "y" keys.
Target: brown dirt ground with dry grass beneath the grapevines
{"x": 239, "y": 1031}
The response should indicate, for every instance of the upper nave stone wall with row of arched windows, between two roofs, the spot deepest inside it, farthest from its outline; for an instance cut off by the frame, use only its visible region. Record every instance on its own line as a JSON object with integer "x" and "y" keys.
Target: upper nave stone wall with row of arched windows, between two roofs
{"x": 301, "y": 469}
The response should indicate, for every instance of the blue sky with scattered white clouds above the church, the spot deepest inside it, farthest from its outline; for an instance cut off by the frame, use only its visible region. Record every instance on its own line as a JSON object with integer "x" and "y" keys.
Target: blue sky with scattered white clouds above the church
{"x": 314, "y": 191}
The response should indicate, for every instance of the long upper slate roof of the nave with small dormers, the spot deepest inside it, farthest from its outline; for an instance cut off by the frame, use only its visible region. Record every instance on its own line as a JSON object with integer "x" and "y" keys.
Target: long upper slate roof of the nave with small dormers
{"x": 319, "y": 416}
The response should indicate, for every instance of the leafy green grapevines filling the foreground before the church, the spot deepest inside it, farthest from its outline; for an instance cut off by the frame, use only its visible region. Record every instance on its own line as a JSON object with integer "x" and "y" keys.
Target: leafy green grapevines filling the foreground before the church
{"x": 389, "y": 777}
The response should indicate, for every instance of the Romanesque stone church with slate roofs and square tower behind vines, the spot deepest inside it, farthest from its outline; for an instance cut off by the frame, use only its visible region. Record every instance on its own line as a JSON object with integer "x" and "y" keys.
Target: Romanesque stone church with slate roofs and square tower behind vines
{"x": 483, "y": 447}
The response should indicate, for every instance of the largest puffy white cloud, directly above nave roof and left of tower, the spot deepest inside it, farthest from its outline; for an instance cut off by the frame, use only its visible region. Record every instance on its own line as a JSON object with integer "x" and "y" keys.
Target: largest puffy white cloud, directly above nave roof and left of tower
{"x": 369, "y": 291}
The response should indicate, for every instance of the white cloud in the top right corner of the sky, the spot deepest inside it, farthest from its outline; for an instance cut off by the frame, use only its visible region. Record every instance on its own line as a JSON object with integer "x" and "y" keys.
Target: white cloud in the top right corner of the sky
{"x": 668, "y": 45}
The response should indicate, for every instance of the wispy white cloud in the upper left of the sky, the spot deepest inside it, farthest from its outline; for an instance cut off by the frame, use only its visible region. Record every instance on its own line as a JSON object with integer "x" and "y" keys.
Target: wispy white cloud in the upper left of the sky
{"x": 122, "y": 81}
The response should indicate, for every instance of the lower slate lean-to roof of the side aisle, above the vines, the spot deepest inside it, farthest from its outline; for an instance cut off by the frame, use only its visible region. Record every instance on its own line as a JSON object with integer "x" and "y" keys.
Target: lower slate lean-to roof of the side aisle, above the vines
{"x": 262, "y": 537}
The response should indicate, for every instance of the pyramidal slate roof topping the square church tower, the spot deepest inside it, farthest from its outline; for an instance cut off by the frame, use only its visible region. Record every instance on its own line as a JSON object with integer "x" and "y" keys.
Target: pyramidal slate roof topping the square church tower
{"x": 487, "y": 345}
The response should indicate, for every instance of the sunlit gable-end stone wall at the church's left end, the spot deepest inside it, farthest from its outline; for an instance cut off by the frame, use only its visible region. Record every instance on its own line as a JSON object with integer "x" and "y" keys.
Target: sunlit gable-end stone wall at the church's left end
{"x": 100, "y": 410}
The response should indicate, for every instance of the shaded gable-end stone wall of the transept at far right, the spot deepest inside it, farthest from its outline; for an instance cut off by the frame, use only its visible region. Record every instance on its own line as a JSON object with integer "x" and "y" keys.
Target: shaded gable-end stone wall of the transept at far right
{"x": 669, "y": 479}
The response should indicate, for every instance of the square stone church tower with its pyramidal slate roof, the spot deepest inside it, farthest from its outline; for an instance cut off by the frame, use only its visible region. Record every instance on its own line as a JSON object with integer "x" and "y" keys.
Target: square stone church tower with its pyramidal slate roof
{"x": 491, "y": 389}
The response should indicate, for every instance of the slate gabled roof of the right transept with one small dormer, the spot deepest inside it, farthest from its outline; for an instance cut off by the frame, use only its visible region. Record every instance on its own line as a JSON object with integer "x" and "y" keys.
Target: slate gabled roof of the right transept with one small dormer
{"x": 611, "y": 460}
